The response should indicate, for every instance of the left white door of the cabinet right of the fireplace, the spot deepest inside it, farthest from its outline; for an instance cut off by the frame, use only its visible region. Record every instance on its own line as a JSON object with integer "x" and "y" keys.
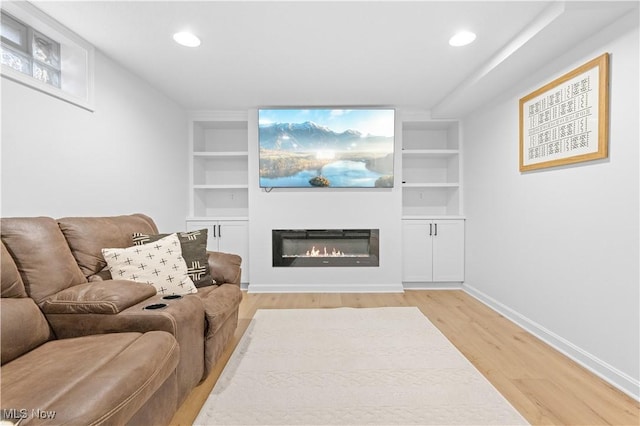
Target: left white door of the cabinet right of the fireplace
{"x": 417, "y": 251}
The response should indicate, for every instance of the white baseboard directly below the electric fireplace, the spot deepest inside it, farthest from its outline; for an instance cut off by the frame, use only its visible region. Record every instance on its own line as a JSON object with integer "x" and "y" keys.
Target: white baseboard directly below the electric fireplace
{"x": 325, "y": 288}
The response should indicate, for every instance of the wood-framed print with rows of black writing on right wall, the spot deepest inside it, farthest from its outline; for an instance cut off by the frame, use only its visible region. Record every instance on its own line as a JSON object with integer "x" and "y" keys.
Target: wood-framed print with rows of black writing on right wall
{"x": 567, "y": 120}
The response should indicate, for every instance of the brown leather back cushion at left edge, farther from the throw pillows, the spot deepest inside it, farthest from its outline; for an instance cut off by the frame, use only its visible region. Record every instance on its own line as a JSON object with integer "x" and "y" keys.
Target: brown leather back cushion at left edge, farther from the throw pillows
{"x": 41, "y": 255}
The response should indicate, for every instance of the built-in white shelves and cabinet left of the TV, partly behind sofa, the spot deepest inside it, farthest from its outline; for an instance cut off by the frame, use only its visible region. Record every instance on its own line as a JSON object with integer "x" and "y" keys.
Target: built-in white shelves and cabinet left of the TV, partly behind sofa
{"x": 219, "y": 181}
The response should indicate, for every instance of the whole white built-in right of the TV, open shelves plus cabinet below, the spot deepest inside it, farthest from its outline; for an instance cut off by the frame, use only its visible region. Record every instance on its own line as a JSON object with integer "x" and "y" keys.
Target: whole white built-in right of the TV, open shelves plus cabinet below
{"x": 432, "y": 221}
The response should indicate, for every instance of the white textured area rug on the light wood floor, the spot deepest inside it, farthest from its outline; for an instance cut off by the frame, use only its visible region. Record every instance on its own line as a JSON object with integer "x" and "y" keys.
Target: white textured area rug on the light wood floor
{"x": 350, "y": 366}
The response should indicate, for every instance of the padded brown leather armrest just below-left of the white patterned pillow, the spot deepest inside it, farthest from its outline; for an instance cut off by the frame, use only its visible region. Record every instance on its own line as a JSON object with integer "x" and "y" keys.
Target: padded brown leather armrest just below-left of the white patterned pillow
{"x": 100, "y": 297}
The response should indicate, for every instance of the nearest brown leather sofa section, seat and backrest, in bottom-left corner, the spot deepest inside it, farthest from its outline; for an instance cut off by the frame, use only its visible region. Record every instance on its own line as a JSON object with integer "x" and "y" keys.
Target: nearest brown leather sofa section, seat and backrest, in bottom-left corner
{"x": 119, "y": 378}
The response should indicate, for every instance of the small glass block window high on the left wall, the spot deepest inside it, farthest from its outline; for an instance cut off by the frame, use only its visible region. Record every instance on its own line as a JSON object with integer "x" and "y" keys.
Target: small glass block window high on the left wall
{"x": 30, "y": 52}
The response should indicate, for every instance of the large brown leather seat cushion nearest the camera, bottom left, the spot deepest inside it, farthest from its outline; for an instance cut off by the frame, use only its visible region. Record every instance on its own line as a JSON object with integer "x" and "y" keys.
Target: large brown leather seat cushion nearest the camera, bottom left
{"x": 100, "y": 379}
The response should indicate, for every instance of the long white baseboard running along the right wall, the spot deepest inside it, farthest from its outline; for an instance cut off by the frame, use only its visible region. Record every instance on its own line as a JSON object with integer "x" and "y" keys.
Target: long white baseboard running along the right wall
{"x": 610, "y": 374}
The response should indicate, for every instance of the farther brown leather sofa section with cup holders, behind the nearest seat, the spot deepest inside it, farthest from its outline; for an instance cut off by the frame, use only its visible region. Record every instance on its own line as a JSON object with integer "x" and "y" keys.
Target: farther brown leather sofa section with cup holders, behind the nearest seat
{"x": 61, "y": 265}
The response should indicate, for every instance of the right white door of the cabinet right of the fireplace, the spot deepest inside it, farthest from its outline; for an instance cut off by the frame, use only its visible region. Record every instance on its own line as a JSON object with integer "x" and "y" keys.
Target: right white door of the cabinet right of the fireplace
{"x": 448, "y": 250}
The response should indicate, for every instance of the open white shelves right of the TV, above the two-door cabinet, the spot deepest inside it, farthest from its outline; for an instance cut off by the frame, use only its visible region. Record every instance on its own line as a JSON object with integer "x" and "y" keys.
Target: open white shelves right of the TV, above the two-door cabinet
{"x": 431, "y": 178}
